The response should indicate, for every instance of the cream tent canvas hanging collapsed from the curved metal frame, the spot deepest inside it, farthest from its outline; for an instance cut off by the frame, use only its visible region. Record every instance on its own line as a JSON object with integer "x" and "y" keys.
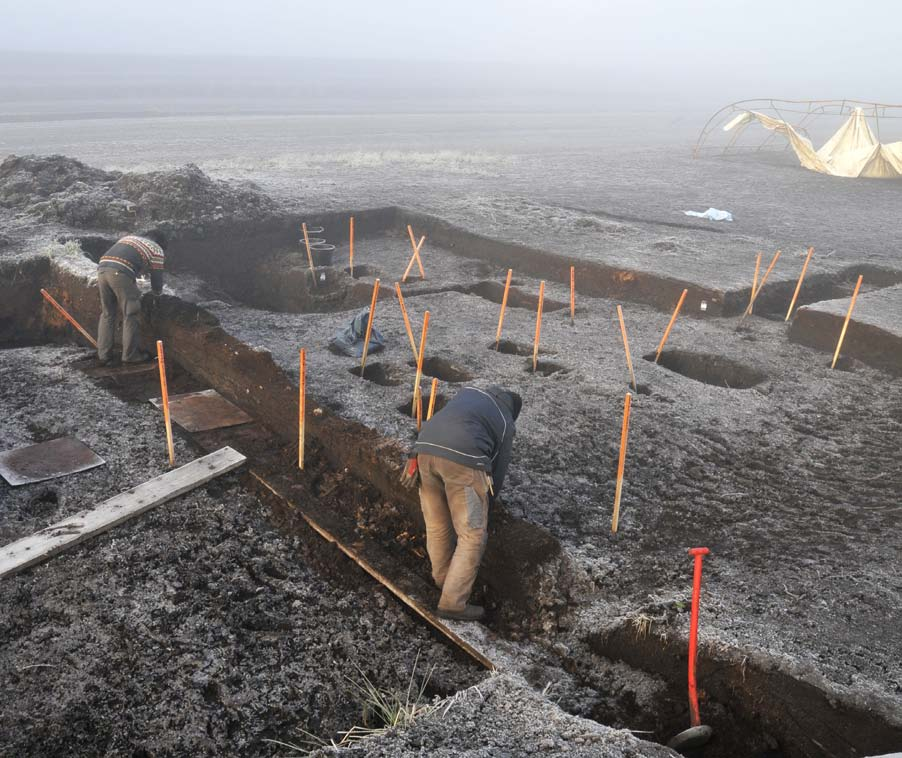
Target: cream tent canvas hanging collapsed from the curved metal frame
{"x": 852, "y": 151}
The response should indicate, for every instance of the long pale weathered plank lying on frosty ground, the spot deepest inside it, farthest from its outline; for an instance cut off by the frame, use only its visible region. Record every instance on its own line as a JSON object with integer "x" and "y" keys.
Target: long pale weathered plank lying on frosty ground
{"x": 64, "y": 534}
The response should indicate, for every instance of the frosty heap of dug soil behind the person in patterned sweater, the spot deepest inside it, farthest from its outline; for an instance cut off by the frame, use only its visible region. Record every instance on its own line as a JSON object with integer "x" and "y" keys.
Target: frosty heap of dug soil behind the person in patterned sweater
{"x": 60, "y": 189}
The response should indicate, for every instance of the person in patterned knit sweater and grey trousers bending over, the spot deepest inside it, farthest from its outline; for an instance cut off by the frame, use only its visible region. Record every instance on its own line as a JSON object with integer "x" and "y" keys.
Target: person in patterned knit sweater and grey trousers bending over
{"x": 117, "y": 272}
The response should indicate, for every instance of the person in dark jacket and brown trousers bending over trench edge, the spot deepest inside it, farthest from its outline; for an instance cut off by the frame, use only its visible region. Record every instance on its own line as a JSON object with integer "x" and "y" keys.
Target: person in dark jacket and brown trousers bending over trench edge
{"x": 462, "y": 455}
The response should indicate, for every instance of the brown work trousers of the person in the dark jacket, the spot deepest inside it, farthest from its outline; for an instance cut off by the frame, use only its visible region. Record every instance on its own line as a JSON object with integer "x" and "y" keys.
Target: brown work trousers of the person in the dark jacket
{"x": 455, "y": 504}
